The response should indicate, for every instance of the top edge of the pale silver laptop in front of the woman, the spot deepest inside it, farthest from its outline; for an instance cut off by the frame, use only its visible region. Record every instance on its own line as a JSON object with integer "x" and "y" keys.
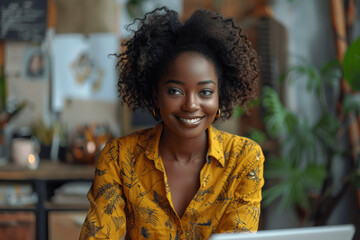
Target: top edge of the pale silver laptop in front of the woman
{"x": 337, "y": 232}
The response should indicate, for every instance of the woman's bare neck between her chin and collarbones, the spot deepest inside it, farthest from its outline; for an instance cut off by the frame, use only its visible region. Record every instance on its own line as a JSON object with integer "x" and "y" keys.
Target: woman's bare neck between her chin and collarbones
{"x": 184, "y": 150}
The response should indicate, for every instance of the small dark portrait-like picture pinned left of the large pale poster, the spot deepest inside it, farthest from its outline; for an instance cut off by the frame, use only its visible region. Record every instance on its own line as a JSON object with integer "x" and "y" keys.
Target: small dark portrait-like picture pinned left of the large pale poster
{"x": 35, "y": 64}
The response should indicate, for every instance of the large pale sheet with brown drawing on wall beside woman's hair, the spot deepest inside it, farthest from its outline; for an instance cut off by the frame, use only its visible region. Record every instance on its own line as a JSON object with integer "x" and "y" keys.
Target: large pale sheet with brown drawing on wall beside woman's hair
{"x": 83, "y": 68}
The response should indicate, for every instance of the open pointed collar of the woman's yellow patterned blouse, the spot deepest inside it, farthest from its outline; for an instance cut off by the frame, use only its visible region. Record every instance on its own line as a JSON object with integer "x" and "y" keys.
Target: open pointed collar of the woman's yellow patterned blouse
{"x": 215, "y": 140}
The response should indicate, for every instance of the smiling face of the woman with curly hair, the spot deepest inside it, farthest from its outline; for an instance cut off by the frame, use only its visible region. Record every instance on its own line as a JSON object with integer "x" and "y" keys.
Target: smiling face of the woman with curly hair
{"x": 188, "y": 96}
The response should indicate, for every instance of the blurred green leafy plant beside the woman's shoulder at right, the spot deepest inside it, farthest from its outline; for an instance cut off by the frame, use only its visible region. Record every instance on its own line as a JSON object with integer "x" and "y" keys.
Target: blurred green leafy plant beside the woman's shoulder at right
{"x": 303, "y": 167}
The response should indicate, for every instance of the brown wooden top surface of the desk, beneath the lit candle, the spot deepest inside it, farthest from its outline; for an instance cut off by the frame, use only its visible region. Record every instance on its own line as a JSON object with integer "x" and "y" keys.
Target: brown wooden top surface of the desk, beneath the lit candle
{"x": 47, "y": 170}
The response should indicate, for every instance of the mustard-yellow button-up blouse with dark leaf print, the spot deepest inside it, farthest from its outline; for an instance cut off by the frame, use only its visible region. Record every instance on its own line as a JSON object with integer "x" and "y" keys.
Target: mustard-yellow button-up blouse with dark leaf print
{"x": 130, "y": 193}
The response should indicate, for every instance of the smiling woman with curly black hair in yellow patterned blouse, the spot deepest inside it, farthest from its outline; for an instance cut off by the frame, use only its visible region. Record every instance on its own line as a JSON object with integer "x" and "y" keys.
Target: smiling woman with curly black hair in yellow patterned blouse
{"x": 182, "y": 179}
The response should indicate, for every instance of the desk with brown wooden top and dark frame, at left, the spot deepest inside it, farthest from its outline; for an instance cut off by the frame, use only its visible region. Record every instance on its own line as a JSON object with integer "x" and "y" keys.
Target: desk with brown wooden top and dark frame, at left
{"x": 48, "y": 175}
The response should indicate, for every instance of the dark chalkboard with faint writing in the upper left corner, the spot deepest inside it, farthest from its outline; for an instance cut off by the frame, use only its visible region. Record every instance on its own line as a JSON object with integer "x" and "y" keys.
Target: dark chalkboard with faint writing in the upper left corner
{"x": 23, "y": 20}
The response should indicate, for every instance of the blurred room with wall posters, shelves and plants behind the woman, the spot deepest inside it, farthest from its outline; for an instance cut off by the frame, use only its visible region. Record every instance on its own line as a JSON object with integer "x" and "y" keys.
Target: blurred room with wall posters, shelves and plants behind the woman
{"x": 59, "y": 105}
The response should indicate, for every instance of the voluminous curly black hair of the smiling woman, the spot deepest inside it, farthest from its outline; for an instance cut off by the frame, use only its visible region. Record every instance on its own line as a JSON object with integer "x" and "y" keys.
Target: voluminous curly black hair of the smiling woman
{"x": 161, "y": 37}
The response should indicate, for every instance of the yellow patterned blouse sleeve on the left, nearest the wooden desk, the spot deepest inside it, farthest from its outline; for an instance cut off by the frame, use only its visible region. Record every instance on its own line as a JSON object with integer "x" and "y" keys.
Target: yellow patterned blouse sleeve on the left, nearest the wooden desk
{"x": 105, "y": 218}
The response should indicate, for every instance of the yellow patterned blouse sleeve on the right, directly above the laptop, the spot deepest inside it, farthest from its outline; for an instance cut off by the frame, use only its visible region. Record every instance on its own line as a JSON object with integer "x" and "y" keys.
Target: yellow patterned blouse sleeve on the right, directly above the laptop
{"x": 242, "y": 215}
